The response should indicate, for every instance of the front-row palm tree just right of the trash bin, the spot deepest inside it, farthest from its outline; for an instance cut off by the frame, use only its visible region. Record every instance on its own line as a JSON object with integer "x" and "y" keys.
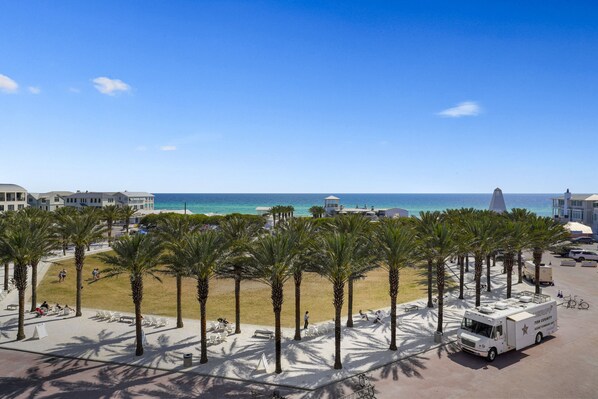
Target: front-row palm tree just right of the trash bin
{"x": 205, "y": 252}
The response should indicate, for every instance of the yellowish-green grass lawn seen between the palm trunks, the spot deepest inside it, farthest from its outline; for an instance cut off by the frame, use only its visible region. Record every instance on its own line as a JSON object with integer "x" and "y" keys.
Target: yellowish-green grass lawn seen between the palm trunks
{"x": 256, "y": 306}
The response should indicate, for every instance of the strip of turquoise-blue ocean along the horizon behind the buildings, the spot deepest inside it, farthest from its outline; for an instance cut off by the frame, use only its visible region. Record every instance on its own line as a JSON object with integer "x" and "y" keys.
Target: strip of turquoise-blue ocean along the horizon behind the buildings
{"x": 540, "y": 204}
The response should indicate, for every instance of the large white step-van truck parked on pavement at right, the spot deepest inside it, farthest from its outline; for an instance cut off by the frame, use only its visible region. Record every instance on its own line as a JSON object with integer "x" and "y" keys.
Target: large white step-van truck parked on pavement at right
{"x": 508, "y": 324}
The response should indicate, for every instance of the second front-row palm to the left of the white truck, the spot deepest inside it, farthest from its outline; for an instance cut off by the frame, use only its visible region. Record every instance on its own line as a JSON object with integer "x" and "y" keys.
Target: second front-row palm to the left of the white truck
{"x": 397, "y": 249}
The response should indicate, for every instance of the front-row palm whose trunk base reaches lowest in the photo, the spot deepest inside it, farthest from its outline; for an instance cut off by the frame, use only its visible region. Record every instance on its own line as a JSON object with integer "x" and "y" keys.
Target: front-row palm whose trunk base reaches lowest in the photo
{"x": 273, "y": 258}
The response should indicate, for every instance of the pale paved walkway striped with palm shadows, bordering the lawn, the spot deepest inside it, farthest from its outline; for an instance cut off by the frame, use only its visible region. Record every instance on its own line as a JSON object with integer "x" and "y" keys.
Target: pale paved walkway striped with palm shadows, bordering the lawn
{"x": 307, "y": 364}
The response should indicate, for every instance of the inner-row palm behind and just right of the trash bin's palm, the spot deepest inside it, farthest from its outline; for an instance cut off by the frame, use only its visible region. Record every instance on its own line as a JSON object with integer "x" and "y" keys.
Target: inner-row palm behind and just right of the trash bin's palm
{"x": 239, "y": 232}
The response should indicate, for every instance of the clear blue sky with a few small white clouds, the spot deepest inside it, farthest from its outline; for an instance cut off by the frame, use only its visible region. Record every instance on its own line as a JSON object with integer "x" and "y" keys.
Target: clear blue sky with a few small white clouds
{"x": 256, "y": 96}
